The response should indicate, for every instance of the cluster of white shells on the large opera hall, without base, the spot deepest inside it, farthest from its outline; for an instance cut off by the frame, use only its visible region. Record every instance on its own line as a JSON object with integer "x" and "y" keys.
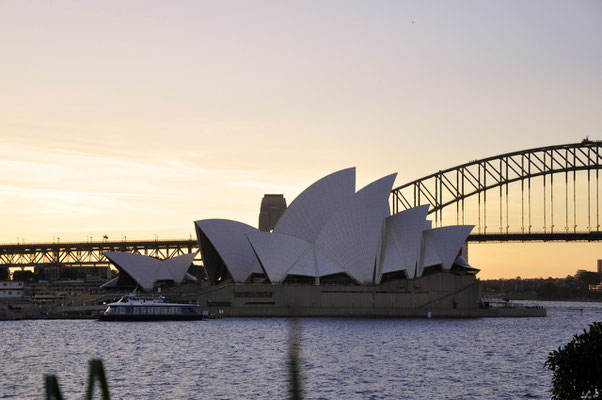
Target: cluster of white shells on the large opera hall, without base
{"x": 332, "y": 234}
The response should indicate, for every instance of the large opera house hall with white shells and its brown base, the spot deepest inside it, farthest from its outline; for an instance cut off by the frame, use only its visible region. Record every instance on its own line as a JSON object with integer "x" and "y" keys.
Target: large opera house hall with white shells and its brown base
{"x": 338, "y": 252}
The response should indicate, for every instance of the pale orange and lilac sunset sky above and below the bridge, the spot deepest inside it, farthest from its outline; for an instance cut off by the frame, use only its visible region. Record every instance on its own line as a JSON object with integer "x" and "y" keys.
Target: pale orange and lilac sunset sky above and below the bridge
{"x": 136, "y": 118}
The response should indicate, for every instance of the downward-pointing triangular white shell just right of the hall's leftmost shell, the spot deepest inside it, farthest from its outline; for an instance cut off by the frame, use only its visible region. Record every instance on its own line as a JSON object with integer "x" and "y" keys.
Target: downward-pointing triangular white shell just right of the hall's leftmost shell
{"x": 277, "y": 253}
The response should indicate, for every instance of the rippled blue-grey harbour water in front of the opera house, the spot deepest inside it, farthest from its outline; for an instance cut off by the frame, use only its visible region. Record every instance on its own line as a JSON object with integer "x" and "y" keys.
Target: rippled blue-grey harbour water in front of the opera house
{"x": 486, "y": 358}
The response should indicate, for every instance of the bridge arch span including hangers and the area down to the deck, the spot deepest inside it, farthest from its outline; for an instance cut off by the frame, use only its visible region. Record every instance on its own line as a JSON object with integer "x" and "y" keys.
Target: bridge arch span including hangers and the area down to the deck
{"x": 546, "y": 181}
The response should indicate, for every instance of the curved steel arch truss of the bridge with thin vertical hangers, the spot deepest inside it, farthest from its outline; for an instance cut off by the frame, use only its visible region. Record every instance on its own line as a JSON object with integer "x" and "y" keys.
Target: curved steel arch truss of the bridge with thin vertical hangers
{"x": 475, "y": 178}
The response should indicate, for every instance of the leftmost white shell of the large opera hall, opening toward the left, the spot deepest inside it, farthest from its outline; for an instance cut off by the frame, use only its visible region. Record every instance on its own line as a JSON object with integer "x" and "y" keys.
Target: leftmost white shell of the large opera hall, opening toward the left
{"x": 229, "y": 238}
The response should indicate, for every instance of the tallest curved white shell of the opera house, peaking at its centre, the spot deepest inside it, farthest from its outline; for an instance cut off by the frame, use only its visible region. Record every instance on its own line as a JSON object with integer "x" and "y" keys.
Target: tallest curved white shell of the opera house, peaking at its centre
{"x": 309, "y": 212}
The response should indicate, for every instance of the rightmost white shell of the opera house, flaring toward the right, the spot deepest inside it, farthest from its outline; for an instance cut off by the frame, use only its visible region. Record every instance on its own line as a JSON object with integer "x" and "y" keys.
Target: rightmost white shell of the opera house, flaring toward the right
{"x": 446, "y": 243}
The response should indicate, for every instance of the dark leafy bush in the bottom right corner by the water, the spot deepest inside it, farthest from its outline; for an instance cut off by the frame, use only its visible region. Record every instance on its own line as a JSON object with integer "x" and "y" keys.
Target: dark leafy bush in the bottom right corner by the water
{"x": 577, "y": 367}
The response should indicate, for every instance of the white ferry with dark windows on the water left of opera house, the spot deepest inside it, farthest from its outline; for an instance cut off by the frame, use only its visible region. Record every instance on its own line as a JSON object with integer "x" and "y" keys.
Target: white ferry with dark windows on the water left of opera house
{"x": 134, "y": 308}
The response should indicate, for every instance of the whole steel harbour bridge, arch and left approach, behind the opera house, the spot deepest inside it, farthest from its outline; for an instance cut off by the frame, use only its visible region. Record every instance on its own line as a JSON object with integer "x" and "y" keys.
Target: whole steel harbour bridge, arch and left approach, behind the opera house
{"x": 541, "y": 194}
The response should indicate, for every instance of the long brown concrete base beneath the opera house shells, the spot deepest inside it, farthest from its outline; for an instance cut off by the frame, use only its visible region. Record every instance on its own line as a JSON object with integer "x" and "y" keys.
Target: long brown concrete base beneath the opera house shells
{"x": 440, "y": 294}
